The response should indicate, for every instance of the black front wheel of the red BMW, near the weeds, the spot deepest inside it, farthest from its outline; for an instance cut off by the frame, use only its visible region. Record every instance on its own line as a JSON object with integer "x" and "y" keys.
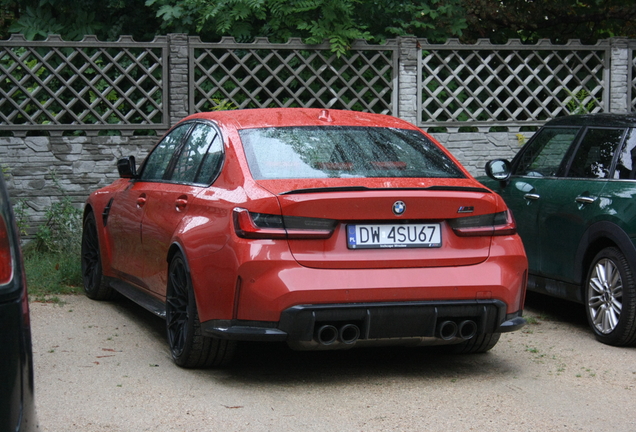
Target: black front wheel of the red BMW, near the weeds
{"x": 95, "y": 286}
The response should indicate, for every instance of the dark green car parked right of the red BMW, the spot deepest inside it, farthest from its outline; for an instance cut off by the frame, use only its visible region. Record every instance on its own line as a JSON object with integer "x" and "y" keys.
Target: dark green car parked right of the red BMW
{"x": 572, "y": 190}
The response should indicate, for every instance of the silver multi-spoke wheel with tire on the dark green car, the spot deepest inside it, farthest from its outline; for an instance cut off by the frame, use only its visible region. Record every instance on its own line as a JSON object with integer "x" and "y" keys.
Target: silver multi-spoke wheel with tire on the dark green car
{"x": 610, "y": 298}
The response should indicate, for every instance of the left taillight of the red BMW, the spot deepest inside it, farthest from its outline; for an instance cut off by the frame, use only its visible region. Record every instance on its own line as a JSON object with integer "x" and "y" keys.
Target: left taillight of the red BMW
{"x": 268, "y": 226}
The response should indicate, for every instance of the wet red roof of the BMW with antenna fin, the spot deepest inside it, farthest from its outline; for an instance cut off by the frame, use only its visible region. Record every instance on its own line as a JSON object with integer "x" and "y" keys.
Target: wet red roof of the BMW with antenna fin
{"x": 276, "y": 117}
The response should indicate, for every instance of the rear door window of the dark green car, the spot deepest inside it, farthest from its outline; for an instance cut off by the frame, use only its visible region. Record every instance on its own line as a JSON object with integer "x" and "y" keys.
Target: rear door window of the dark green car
{"x": 594, "y": 156}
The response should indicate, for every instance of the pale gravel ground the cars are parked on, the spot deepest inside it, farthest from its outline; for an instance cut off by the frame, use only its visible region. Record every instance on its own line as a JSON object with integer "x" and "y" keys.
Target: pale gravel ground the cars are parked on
{"x": 106, "y": 367}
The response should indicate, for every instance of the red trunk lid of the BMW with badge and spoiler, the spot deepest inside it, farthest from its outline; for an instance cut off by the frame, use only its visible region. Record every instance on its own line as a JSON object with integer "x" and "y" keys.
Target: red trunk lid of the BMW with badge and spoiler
{"x": 429, "y": 206}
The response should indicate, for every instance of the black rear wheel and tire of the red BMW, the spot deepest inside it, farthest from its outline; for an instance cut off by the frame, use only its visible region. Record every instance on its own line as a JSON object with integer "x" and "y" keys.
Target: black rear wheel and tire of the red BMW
{"x": 188, "y": 346}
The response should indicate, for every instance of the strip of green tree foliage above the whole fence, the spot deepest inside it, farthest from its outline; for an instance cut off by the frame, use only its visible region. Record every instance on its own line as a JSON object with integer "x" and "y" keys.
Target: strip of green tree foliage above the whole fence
{"x": 337, "y": 21}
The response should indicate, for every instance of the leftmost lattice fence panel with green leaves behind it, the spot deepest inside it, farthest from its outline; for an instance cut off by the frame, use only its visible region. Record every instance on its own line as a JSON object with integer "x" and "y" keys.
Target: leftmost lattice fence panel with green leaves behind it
{"x": 82, "y": 85}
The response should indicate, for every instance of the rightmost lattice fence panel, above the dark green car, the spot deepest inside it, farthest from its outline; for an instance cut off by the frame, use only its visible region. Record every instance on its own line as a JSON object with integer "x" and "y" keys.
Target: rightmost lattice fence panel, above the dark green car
{"x": 492, "y": 85}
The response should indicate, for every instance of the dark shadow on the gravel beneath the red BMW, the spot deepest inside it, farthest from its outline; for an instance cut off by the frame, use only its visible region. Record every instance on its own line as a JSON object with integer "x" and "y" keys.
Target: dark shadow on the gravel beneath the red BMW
{"x": 276, "y": 364}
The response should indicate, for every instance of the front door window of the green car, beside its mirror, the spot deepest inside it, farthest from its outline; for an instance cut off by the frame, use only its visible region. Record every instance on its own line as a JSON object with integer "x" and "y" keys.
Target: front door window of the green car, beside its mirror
{"x": 544, "y": 154}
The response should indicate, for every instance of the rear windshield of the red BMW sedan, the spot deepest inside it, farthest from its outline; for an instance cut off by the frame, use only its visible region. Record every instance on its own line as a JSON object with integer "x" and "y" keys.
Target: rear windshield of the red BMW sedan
{"x": 341, "y": 152}
